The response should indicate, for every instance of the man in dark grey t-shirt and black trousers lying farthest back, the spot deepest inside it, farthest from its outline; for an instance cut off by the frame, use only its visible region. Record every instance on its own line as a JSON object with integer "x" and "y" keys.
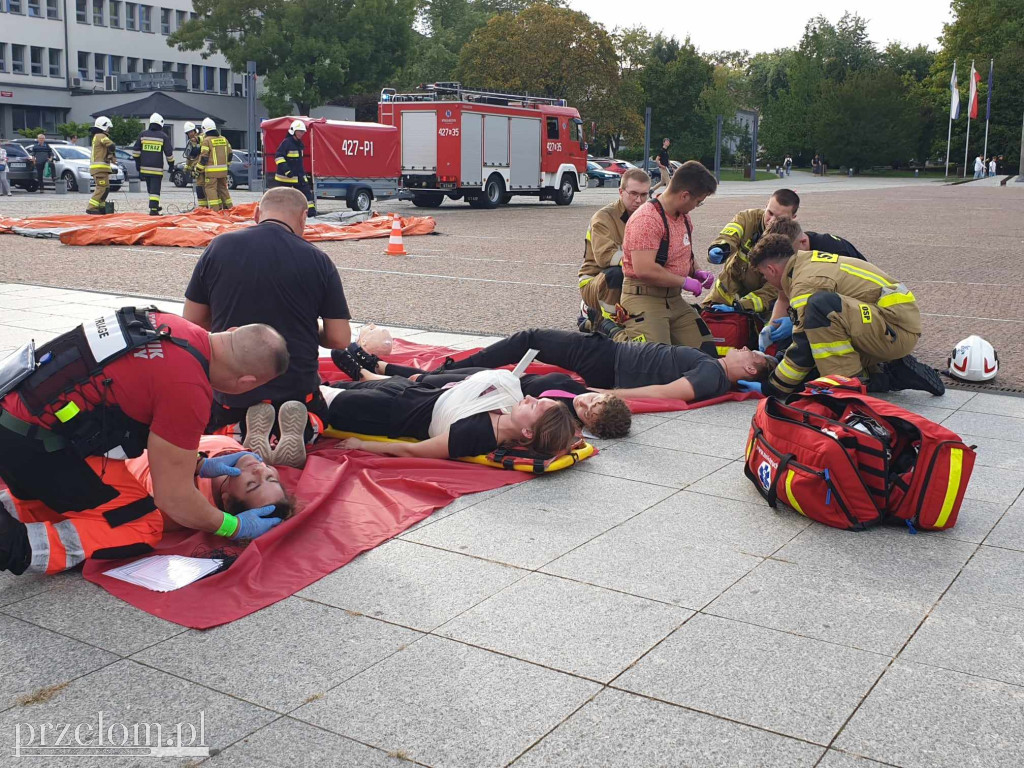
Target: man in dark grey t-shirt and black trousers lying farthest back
{"x": 657, "y": 371}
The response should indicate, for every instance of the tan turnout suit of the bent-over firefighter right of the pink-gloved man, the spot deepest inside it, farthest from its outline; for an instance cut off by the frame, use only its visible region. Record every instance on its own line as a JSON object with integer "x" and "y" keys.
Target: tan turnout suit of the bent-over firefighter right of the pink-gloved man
{"x": 740, "y": 283}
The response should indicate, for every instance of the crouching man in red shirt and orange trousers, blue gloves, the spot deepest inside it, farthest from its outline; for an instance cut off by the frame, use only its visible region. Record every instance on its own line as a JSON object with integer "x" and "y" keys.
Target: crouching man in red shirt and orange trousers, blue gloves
{"x": 131, "y": 381}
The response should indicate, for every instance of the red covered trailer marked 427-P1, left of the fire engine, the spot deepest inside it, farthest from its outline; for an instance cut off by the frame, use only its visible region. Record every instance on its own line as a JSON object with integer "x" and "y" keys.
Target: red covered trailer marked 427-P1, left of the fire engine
{"x": 355, "y": 162}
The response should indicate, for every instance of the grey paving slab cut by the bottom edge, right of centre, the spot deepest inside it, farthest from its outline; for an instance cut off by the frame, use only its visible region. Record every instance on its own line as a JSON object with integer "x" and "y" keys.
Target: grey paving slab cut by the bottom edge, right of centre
{"x": 621, "y": 731}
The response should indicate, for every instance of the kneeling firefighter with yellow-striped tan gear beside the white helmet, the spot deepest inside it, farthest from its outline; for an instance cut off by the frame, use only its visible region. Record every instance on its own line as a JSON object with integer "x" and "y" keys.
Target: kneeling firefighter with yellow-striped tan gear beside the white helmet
{"x": 850, "y": 319}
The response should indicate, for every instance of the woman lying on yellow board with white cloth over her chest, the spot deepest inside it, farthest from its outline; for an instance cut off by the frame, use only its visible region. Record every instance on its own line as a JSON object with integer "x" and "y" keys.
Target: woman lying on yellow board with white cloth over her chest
{"x": 474, "y": 418}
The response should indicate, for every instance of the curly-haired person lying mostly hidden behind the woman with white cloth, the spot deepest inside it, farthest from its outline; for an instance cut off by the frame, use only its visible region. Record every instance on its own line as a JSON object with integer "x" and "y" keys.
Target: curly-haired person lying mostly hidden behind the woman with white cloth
{"x": 604, "y": 415}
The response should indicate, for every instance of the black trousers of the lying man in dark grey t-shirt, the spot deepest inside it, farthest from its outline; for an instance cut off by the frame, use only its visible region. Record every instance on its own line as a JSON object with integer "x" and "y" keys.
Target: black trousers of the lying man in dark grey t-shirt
{"x": 590, "y": 356}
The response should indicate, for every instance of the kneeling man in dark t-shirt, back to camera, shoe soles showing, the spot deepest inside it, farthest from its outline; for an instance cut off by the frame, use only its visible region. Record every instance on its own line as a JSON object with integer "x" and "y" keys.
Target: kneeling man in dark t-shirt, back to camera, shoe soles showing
{"x": 269, "y": 274}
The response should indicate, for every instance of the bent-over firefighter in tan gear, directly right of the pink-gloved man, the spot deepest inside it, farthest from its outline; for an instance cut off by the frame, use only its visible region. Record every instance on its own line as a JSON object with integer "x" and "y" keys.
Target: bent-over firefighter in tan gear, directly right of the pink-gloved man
{"x": 739, "y": 283}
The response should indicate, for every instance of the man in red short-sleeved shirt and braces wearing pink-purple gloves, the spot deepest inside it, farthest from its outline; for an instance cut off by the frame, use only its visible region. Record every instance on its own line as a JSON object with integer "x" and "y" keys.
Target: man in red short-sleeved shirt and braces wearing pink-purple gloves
{"x": 658, "y": 265}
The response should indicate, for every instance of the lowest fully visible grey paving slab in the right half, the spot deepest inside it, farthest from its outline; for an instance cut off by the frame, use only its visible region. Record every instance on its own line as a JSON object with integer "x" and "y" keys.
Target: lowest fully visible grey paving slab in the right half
{"x": 782, "y": 682}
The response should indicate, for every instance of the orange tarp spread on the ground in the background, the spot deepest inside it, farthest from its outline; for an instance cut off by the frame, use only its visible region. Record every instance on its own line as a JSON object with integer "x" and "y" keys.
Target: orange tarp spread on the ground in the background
{"x": 196, "y": 229}
